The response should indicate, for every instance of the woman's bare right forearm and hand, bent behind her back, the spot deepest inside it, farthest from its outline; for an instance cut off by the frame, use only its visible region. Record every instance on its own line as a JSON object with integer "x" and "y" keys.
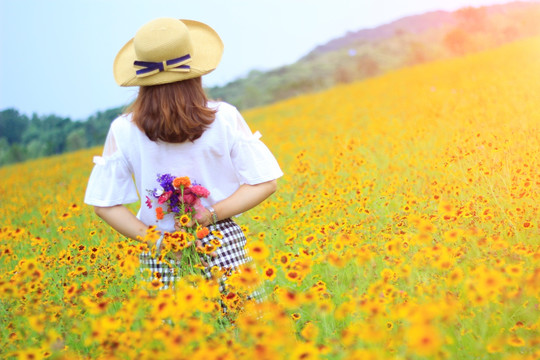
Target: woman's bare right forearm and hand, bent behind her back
{"x": 243, "y": 199}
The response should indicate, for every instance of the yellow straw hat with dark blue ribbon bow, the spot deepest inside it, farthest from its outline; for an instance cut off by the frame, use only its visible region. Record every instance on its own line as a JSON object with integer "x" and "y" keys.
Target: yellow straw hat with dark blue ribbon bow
{"x": 167, "y": 50}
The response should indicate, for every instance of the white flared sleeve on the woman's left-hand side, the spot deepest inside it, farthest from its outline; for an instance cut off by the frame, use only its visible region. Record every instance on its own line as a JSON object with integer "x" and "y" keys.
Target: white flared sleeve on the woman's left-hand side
{"x": 111, "y": 182}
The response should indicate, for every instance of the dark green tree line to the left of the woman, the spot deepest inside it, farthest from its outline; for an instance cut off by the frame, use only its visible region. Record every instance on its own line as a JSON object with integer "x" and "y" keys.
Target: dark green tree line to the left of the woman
{"x": 23, "y": 137}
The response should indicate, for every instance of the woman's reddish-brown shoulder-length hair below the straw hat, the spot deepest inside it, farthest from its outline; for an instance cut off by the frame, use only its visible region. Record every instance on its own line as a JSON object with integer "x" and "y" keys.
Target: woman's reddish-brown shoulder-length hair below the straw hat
{"x": 173, "y": 112}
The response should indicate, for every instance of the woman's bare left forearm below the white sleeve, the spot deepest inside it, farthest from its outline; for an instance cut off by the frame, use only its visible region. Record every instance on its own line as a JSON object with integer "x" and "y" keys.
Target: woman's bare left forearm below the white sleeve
{"x": 123, "y": 220}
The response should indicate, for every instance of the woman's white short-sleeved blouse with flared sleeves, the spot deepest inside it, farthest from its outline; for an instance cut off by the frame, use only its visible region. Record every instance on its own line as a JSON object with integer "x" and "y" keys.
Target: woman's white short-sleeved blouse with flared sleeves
{"x": 227, "y": 155}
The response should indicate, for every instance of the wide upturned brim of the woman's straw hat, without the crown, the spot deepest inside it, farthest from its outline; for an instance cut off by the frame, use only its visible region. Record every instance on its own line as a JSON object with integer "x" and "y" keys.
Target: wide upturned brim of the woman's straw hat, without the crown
{"x": 207, "y": 52}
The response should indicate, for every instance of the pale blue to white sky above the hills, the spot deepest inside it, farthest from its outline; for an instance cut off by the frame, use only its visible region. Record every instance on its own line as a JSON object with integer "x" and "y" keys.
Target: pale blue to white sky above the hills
{"x": 56, "y": 56}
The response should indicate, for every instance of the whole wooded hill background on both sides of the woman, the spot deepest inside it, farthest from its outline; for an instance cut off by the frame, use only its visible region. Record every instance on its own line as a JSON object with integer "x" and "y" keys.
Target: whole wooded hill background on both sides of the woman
{"x": 357, "y": 56}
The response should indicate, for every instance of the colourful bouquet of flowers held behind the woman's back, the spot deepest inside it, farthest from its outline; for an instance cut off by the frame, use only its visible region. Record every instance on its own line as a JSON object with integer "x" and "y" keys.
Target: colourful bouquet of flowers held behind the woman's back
{"x": 181, "y": 197}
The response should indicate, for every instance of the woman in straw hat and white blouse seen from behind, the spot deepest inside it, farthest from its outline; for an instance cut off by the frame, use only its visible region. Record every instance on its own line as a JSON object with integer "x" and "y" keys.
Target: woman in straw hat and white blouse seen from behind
{"x": 172, "y": 128}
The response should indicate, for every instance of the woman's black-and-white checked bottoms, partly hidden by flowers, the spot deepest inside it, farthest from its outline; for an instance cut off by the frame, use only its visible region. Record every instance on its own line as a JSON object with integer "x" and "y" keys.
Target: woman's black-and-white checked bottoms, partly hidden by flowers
{"x": 230, "y": 255}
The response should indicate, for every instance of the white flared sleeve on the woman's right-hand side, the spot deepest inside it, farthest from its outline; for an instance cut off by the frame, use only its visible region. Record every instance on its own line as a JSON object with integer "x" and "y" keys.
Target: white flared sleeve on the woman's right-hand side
{"x": 253, "y": 161}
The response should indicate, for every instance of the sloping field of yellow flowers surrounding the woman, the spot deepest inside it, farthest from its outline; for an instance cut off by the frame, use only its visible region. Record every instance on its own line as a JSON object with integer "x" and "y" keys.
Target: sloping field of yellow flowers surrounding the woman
{"x": 407, "y": 226}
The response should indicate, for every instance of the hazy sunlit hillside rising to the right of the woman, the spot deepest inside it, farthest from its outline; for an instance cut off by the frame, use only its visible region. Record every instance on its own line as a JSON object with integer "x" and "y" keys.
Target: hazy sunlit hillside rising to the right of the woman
{"x": 370, "y": 52}
